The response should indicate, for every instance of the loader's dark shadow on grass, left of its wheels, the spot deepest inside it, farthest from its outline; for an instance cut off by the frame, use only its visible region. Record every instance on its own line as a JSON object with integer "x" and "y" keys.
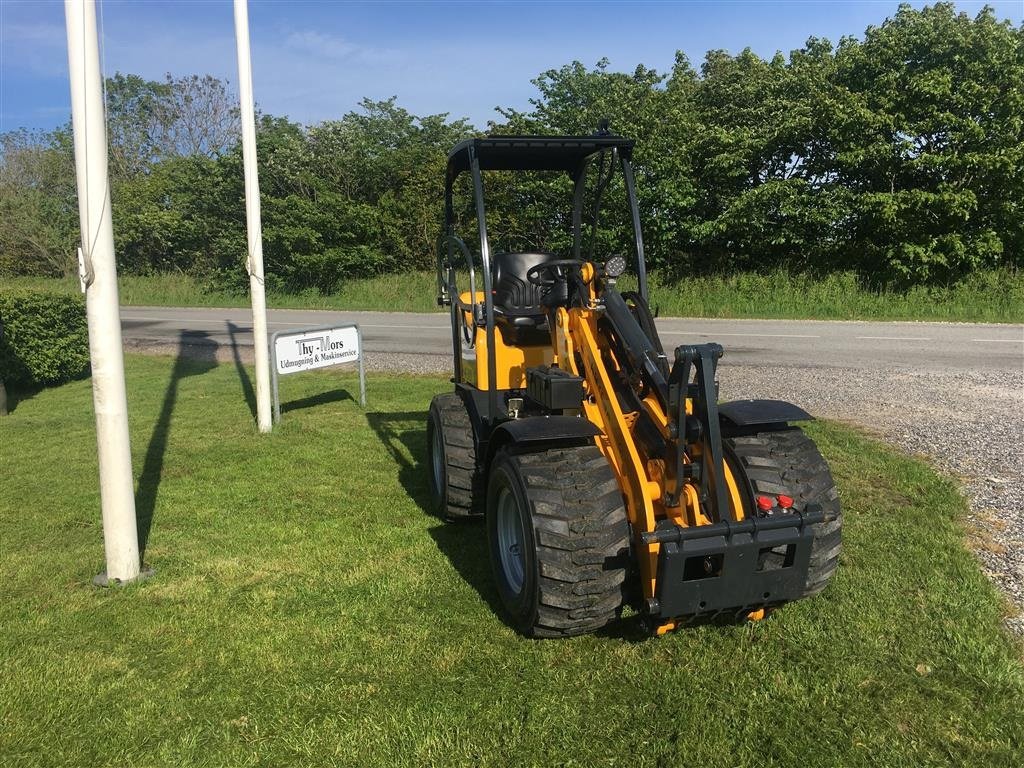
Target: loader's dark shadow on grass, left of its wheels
{"x": 463, "y": 543}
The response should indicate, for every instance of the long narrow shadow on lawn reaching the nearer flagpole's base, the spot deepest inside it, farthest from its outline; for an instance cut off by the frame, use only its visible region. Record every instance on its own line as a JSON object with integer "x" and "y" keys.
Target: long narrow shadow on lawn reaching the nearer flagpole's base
{"x": 197, "y": 355}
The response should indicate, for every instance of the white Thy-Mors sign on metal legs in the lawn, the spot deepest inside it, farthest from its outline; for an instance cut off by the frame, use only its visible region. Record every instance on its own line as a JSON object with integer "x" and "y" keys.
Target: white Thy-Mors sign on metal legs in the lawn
{"x": 310, "y": 349}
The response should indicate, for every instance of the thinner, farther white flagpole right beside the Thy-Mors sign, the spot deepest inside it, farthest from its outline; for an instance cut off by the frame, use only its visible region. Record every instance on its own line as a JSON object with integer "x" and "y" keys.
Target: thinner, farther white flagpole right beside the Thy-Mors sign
{"x": 255, "y": 261}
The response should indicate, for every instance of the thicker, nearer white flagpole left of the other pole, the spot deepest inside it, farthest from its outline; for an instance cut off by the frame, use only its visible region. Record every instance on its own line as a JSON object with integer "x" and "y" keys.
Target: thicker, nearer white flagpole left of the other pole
{"x": 117, "y": 490}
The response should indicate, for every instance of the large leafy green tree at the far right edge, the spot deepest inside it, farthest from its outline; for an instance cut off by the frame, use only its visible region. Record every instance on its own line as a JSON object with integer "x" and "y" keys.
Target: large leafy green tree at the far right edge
{"x": 931, "y": 144}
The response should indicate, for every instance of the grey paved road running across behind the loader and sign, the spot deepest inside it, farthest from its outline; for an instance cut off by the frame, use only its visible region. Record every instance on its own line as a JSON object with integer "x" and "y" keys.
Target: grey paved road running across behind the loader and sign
{"x": 921, "y": 347}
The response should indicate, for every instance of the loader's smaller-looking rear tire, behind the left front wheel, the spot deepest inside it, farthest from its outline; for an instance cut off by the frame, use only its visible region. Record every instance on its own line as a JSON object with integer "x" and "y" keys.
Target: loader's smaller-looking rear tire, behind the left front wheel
{"x": 456, "y": 483}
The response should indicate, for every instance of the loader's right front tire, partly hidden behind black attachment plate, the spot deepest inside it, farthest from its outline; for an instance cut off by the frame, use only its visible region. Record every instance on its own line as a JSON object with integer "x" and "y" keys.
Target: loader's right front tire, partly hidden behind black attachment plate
{"x": 788, "y": 462}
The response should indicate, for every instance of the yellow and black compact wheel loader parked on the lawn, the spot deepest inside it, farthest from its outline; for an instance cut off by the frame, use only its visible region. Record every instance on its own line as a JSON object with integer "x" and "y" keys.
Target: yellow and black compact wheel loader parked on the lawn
{"x": 608, "y": 472}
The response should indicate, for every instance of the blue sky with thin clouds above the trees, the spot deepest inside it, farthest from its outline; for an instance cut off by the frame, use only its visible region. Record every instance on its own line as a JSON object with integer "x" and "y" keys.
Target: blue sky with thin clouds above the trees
{"x": 316, "y": 61}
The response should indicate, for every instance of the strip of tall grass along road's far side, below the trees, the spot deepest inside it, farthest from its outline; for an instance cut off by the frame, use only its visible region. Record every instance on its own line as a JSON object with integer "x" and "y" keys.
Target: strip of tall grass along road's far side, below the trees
{"x": 986, "y": 297}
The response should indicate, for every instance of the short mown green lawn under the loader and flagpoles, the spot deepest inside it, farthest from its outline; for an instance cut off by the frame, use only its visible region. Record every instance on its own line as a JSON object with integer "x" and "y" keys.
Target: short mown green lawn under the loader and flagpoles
{"x": 308, "y": 611}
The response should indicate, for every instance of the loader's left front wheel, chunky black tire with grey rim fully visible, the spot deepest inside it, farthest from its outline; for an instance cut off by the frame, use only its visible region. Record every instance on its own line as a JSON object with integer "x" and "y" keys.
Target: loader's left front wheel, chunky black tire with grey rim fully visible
{"x": 560, "y": 540}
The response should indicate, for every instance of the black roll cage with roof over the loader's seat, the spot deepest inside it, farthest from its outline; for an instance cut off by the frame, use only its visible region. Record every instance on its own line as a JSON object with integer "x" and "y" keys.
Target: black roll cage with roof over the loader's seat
{"x": 572, "y": 155}
